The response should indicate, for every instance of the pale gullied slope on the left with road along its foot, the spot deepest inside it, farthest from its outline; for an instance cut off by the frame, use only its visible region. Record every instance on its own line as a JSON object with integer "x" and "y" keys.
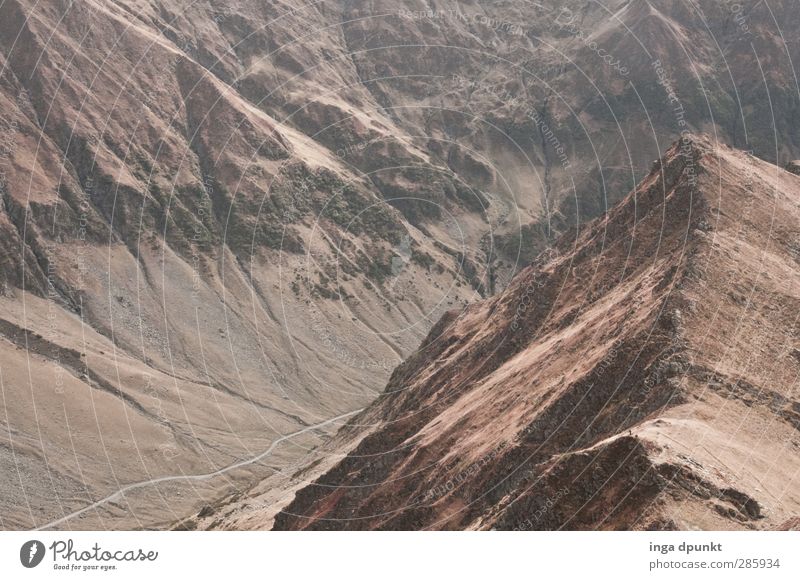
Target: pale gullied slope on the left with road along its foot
{"x": 186, "y": 279}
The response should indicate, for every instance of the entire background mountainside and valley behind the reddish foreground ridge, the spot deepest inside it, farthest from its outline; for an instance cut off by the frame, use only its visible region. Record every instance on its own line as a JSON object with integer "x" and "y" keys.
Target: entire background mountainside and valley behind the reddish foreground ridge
{"x": 224, "y": 224}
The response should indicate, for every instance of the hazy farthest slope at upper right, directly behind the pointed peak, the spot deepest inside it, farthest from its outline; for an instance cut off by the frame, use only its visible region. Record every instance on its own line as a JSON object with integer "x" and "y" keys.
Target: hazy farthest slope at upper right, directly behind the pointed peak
{"x": 558, "y": 108}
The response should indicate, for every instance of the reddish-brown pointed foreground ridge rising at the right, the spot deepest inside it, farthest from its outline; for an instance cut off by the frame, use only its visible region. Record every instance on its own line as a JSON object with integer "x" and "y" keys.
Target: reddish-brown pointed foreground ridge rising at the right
{"x": 641, "y": 374}
